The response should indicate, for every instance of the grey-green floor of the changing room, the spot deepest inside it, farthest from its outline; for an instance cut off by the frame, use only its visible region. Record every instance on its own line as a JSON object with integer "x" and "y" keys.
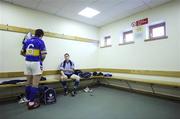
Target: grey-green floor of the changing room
{"x": 103, "y": 103}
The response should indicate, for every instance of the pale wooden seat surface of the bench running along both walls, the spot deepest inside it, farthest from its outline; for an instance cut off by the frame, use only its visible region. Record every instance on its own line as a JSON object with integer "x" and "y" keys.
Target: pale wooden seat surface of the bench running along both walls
{"x": 139, "y": 79}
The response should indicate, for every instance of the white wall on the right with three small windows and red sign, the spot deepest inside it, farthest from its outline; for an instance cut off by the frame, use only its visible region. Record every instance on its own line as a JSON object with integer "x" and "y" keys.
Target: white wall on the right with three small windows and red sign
{"x": 154, "y": 55}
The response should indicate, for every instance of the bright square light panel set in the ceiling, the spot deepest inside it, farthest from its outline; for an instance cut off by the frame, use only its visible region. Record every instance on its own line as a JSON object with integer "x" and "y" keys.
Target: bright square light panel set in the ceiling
{"x": 88, "y": 12}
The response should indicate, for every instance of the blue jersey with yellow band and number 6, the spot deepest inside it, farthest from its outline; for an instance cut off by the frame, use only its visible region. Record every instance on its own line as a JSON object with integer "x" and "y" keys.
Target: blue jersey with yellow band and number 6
{"x": 34, "y": 49}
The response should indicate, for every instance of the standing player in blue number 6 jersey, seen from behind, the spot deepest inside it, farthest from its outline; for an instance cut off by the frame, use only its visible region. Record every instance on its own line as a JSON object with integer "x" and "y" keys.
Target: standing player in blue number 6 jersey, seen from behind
{"x": 34, "y": 51}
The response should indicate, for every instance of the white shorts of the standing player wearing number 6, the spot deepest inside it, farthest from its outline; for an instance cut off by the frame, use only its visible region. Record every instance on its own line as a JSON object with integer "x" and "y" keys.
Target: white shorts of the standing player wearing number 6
{"x": 33, "y": 68}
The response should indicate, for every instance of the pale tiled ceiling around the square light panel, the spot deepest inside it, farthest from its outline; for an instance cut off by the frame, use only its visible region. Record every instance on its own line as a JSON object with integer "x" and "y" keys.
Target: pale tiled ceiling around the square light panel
{"x": 111, "y": 10}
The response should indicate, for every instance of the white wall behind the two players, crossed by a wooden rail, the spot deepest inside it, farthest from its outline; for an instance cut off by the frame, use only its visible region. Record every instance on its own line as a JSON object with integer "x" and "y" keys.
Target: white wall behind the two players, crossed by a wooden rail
{"x": 82, "y": 53}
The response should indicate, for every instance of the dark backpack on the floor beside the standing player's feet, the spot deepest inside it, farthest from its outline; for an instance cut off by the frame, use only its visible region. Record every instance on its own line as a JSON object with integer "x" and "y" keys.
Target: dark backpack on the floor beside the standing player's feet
{"x": 47, "y": 95}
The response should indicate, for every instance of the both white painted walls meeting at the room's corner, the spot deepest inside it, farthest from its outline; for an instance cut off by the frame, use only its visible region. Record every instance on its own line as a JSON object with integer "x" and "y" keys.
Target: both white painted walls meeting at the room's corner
{"x": 154, "y": 55}
